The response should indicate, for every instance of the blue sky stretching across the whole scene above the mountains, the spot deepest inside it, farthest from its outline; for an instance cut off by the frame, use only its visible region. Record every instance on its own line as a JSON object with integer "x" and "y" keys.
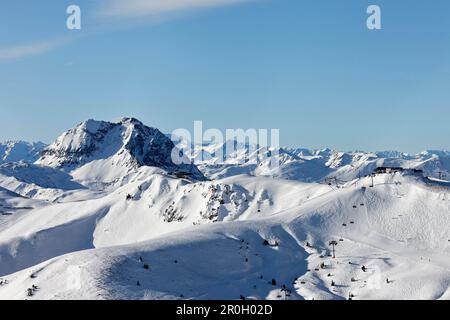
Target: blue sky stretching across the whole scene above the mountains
{"x": 308, "y": 67}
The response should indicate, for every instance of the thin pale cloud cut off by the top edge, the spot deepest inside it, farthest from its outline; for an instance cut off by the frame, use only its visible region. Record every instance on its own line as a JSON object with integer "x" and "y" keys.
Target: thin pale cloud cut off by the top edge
{"x": 140, "y": 8}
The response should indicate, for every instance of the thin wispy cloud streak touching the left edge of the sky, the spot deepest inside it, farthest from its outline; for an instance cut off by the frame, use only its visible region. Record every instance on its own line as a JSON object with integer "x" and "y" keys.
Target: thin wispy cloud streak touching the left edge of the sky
{"x": 30, "y": 49}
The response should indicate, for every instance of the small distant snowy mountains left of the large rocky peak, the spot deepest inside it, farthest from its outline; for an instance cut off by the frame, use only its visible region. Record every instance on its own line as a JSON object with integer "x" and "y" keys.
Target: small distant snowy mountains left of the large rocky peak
{"x": 12, "y": 151}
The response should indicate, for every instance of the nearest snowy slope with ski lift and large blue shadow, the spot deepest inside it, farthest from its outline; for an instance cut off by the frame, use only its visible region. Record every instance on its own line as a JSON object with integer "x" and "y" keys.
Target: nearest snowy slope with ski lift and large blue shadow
{"x": 398, "y": 230}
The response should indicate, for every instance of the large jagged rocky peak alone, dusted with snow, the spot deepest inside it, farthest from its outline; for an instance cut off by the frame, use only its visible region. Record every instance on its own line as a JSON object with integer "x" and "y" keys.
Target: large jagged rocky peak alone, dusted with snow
{"x": 98, "y": 151}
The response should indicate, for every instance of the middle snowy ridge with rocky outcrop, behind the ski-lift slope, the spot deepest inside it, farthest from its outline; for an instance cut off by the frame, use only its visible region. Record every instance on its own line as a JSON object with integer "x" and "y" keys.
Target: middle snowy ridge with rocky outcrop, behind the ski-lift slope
{"x": 146, "y": 208}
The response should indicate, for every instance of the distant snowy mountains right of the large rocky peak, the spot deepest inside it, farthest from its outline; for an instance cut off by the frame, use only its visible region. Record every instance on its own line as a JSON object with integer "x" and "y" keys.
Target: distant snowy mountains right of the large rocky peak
{"x": 310, "y": 165}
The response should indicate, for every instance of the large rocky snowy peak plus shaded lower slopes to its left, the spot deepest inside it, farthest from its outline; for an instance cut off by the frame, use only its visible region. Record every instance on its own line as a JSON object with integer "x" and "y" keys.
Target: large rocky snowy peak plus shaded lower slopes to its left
{"x": 95, "y": 155}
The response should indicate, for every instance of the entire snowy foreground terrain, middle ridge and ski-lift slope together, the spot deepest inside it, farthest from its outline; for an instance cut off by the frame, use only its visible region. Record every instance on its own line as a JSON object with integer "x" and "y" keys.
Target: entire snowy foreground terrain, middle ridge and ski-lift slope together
{"x": 393, "y": 243}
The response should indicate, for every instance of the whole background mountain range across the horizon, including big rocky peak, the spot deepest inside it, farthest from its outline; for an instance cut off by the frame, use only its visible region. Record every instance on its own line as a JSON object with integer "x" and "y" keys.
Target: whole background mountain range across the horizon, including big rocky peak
{"x": 105, "y": 151}
